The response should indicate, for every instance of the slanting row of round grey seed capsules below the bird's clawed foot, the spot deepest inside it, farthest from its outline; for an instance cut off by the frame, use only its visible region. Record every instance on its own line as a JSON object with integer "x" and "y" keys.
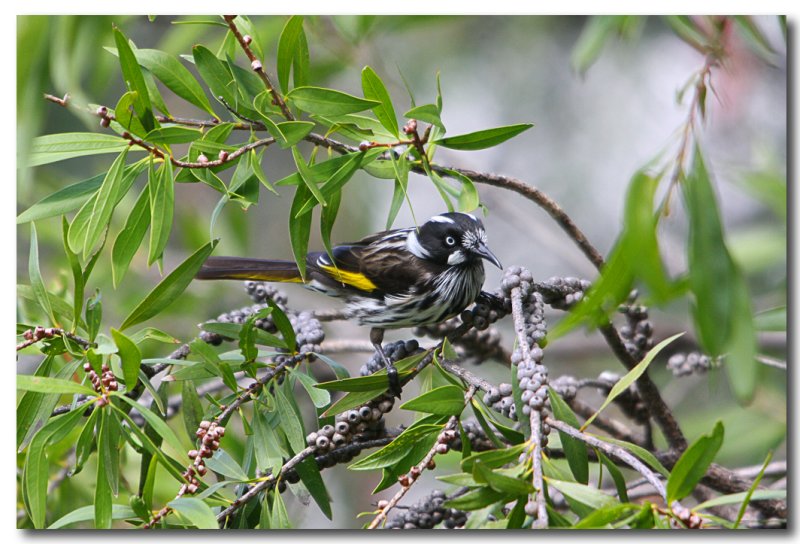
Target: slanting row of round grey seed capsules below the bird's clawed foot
{"x": 367, "y": 418}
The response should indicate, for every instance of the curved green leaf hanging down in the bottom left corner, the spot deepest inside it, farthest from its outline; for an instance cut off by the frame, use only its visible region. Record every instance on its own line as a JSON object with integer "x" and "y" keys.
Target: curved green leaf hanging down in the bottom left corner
{"x": 35, "y": 474}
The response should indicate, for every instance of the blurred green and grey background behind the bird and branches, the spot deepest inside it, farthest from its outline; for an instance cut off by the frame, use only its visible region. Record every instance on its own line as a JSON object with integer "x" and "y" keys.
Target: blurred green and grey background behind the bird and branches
{"x": 593, "y": 131}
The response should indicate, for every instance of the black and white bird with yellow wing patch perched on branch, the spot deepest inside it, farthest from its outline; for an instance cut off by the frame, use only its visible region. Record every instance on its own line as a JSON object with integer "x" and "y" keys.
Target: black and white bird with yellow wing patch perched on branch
{"x": 392, "y": 279}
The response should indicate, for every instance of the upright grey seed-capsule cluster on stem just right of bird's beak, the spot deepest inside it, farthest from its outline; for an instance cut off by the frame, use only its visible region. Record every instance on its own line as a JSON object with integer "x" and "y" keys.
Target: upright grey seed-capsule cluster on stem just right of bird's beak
{"x": 531, "y": 373}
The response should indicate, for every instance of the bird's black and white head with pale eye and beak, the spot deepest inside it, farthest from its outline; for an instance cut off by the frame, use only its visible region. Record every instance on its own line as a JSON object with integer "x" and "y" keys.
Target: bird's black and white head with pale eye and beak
{"x": 451, "y": 239}
